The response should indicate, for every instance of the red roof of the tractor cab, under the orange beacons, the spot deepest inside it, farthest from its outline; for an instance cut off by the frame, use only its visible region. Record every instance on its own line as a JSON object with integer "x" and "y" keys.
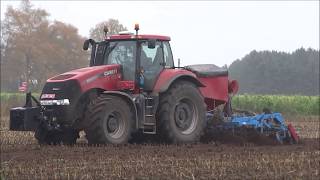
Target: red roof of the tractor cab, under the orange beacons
{"x": 129, "y": 36}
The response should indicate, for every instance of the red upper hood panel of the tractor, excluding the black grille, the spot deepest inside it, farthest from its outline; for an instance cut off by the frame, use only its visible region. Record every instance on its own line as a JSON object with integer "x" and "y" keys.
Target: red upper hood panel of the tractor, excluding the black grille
{"x": 90, "y": 77}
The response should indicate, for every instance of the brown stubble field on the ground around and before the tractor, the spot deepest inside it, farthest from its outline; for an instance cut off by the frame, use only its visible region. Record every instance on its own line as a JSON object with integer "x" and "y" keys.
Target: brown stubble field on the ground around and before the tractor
{"x": 22, "y": 158}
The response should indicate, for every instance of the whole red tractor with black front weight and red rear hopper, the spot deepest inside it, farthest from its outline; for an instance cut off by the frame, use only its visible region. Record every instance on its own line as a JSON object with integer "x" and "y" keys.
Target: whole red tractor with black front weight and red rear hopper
{"x": 131, "y": 87}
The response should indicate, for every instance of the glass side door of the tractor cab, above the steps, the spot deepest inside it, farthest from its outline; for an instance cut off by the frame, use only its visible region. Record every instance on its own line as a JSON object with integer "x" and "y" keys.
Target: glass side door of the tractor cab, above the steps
{"x": 152, "y": 63}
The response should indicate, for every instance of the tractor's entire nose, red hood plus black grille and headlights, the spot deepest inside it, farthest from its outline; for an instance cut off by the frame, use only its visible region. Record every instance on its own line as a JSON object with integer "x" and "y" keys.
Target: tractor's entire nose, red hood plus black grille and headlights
{"x": 62, "y": 94}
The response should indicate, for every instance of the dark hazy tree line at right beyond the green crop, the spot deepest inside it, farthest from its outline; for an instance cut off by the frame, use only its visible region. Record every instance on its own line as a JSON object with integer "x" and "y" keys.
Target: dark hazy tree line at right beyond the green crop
{"x": 272, "y": 72}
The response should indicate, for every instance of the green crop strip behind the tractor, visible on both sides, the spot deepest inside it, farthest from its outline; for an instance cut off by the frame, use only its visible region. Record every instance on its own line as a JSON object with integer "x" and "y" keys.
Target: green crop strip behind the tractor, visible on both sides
{"x": 288, "y": 105}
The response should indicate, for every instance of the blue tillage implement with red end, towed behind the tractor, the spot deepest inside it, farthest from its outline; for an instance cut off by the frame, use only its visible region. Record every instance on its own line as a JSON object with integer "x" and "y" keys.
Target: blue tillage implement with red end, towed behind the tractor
{"x": 254, "y": 126}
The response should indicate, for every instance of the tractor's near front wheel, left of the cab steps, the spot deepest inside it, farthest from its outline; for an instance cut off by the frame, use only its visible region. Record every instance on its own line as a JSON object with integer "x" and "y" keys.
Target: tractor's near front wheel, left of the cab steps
{"x": 110, "y": 121}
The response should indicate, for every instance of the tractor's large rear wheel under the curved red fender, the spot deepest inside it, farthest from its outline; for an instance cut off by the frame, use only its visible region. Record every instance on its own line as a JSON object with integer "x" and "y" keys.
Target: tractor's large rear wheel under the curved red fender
{"x": 182, "y": 113}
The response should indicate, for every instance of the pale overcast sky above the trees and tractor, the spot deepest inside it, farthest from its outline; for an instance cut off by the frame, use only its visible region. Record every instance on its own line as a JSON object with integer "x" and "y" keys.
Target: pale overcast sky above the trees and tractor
{"x": 201, "y": 32}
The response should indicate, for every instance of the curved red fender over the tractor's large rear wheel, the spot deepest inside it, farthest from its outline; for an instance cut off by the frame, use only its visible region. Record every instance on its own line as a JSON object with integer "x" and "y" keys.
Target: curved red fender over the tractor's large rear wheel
{"x": 169, "y": 76}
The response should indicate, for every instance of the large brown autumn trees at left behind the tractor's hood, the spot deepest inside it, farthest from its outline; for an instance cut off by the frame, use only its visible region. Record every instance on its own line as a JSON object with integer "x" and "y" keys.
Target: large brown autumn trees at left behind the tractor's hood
{"x": 34, "y": 48}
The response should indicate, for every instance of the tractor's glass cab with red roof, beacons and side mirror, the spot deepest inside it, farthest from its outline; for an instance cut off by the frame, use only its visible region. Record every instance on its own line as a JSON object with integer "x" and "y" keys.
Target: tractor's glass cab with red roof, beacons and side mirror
{"x": 142, "y": 57}
